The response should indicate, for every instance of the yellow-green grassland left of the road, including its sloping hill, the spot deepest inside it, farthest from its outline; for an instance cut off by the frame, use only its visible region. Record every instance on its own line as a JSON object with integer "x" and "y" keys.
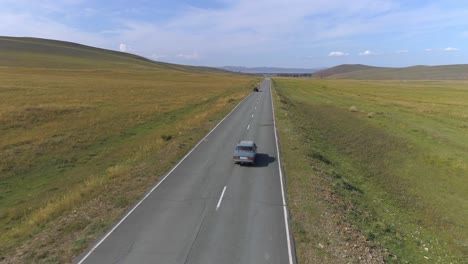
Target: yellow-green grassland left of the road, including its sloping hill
{"x": 84, "y": 132}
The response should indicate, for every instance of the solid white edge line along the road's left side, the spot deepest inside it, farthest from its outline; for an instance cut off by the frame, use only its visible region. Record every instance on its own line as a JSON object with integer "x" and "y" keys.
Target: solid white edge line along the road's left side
{"x": 156, "y": 186}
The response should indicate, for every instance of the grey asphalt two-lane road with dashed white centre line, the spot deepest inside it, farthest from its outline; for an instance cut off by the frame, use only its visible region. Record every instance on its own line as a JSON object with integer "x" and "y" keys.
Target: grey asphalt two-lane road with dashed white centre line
{"x": 207, "y": 209}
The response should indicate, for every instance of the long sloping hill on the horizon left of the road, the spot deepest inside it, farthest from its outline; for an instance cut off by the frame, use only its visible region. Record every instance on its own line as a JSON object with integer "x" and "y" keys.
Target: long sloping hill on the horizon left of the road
{"x": 45, "y": 53}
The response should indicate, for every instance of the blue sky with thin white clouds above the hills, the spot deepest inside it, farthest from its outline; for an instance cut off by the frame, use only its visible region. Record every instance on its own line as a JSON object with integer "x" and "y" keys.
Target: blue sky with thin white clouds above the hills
{"x": 292, "y": 33}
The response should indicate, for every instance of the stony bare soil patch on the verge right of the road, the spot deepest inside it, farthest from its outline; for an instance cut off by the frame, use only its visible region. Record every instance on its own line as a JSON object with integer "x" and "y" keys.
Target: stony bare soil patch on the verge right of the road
{"x": 331, "y": 238}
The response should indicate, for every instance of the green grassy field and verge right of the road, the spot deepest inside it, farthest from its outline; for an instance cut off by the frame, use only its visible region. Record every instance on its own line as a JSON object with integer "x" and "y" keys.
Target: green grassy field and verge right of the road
{"x": 376, "y": 166}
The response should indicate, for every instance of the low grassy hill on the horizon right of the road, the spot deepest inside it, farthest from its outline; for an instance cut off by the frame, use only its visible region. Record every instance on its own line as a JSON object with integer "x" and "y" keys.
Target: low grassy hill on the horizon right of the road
{"x": 363, "y": 72}
